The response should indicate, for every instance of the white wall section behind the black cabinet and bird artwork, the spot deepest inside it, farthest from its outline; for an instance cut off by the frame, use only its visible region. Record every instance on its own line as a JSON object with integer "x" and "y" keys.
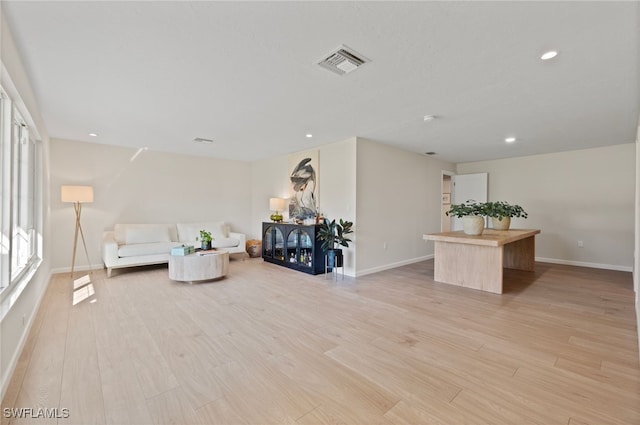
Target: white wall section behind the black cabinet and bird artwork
{"x": 337, "y": 189}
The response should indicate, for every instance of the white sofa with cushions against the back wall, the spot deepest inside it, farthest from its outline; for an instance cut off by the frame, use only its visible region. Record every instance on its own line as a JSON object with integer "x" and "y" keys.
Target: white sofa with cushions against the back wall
{"x": 129, "y": 245}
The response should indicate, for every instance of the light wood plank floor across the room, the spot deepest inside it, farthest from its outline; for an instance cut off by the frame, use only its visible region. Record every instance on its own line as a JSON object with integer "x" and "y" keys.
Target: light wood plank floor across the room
{"x": 270, "y": 345}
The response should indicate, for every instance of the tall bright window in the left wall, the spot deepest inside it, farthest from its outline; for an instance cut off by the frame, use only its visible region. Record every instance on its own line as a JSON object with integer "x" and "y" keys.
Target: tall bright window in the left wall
{"x": 20, "y": 249}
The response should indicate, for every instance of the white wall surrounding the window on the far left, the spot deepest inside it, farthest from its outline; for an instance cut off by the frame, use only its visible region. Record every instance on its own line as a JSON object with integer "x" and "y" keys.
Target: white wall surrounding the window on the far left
{"x": 18, "y": 310}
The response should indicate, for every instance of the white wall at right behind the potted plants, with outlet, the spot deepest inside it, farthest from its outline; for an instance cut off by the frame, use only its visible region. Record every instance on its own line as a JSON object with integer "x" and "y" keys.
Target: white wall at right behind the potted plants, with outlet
{"x": 584, "y": 195}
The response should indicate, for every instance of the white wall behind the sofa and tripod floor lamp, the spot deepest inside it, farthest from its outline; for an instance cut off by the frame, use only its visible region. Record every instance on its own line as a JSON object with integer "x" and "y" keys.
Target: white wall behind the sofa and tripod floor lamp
{"x": 132, "y": 186}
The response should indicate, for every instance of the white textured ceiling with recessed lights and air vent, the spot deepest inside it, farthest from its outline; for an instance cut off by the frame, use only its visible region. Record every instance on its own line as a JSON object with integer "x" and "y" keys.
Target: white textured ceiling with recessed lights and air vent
{"x": 159, "y": 74}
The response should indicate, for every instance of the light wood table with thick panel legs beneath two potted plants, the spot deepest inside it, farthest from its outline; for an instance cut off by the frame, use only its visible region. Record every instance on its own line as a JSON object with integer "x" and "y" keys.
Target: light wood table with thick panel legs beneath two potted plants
{"x": 476, "y": 262}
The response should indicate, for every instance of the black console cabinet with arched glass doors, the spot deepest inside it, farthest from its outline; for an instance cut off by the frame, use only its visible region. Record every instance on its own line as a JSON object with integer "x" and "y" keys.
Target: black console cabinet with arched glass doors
{"x": 295, "y": 246}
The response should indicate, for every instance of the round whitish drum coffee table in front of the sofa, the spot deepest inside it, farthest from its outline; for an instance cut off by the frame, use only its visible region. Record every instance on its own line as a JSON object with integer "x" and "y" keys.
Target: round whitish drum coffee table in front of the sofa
{"x": 197, "y": 267}
